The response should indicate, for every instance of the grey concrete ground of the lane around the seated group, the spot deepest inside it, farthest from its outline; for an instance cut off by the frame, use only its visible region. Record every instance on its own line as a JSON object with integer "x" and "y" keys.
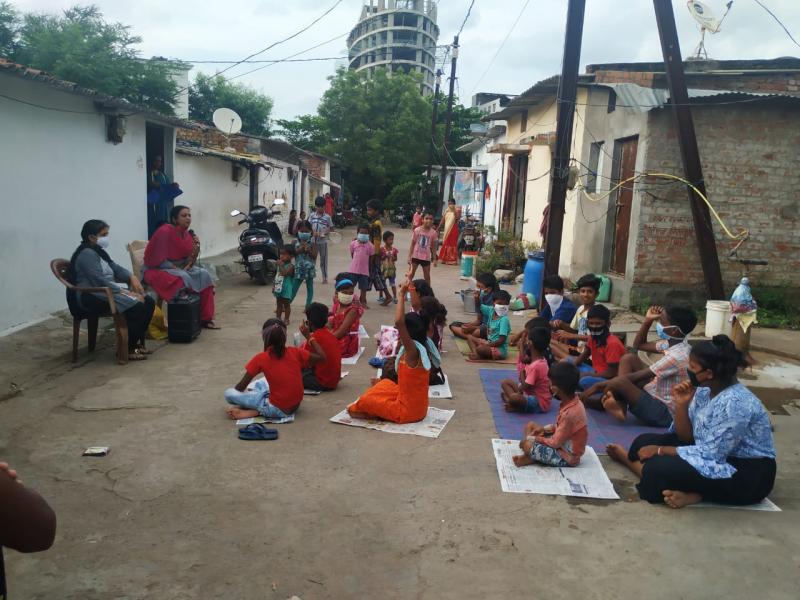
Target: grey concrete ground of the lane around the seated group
{"x": 181, "y": 508}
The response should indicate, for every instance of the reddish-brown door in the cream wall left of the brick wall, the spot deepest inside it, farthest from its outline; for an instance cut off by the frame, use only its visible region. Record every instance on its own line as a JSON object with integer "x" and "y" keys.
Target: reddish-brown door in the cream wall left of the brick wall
{"x": 624, "y": 168}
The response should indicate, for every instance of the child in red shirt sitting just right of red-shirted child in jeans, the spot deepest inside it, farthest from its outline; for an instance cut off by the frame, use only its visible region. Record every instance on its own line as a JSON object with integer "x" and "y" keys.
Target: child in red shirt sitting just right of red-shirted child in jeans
{"x": 325, "y": 376}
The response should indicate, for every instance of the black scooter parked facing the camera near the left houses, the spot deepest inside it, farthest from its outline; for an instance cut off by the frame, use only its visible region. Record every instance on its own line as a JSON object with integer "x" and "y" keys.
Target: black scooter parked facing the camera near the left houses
{"x": 260, "y": 243}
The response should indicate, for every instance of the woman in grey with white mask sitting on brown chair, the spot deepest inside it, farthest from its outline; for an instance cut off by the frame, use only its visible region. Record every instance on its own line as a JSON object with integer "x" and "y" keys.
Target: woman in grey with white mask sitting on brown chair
{"x": 91, "y": 266}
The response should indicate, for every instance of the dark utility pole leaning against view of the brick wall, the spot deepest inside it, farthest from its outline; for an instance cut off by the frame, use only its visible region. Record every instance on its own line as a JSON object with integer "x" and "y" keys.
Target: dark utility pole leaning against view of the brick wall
{"x": 690, "y": 155}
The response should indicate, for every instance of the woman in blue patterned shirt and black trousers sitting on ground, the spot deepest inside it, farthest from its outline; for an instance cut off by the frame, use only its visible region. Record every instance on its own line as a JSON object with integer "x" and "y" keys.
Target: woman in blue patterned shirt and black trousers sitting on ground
{"x": 720, "y": 448}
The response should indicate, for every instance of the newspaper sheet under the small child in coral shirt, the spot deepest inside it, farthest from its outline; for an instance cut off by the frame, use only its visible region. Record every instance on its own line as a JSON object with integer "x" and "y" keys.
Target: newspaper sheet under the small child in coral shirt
{"x": 587, "y": 480}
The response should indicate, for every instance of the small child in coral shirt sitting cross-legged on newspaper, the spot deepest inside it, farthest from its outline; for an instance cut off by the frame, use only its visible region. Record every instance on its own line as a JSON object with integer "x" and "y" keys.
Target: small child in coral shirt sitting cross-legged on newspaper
{"x": 562, "y": 444}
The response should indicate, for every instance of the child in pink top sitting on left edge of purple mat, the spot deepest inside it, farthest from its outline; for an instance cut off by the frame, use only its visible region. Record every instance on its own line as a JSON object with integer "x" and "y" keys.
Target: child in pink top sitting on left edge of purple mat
{"x": 532, "y": 394}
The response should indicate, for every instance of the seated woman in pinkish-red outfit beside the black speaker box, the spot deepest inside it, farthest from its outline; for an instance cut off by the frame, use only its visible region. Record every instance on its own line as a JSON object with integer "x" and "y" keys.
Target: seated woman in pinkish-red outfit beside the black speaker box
{"x": 169, "y": 264}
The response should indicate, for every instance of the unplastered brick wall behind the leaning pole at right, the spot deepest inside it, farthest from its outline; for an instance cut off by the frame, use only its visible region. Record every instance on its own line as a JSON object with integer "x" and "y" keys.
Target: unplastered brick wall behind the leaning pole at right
{"x": 749, "y": 157}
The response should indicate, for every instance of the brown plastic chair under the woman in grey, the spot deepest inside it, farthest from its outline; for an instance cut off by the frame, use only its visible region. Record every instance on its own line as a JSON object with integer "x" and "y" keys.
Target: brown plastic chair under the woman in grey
{"x": 60, "y": 267}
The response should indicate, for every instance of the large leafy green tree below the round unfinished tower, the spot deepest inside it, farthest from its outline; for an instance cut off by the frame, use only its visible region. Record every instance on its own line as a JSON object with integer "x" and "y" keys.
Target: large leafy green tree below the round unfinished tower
{"x": 378, "y": 127}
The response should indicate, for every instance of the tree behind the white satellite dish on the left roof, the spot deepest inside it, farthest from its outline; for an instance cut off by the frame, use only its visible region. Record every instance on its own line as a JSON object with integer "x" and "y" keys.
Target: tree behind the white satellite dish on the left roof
{"x": 211, "y": 92}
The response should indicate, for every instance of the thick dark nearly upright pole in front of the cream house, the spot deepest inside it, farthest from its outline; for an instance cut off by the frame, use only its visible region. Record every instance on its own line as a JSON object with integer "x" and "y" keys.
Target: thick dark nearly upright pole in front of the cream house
{"x": 567, "y": 95}
